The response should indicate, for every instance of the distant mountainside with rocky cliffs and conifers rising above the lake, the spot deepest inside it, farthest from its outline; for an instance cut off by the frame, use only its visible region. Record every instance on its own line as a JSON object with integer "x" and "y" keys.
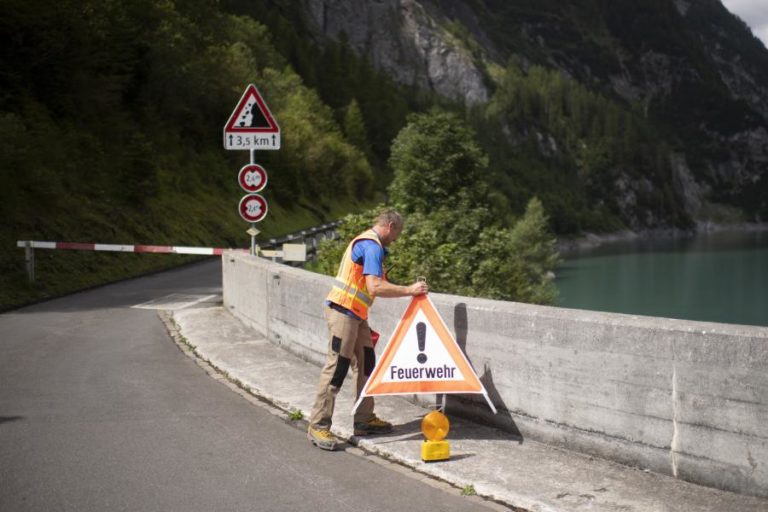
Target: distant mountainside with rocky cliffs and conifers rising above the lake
{"x": 617, "y": 113}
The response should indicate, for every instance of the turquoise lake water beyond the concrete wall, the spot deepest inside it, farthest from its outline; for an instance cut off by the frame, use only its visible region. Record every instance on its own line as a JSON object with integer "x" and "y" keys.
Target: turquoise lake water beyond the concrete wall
{"x": 718, "y": 277}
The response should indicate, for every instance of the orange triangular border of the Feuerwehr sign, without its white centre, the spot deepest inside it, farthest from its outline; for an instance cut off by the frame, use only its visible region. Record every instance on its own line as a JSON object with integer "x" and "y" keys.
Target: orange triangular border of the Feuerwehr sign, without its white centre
{"x": 469, "y": 384}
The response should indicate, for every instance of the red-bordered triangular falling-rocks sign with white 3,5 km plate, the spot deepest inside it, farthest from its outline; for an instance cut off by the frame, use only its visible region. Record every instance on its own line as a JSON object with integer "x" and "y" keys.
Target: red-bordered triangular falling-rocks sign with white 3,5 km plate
{"x": 251, "y": 125}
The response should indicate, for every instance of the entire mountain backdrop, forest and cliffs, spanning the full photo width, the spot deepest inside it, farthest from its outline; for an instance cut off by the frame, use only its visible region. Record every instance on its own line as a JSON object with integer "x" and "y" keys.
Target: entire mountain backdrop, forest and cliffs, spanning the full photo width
{"x": 616, "y": 114}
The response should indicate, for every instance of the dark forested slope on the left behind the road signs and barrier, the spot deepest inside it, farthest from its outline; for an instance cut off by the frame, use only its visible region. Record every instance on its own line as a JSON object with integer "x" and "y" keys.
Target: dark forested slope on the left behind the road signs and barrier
{"x": 111, "y": 117}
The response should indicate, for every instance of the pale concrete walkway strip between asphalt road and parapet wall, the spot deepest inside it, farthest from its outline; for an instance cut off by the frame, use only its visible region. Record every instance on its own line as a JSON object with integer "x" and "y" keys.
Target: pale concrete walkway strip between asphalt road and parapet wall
{"x": 530, "y": 475}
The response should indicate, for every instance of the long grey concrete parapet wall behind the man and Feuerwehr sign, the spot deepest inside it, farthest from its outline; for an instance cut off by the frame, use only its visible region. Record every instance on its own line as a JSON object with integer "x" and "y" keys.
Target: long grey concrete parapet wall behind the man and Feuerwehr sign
{"x": 684, "y": 398}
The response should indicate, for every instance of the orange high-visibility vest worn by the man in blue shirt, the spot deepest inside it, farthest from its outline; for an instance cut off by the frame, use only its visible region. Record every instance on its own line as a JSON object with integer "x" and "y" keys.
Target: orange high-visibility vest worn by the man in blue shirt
{"x": 349, "y": 290}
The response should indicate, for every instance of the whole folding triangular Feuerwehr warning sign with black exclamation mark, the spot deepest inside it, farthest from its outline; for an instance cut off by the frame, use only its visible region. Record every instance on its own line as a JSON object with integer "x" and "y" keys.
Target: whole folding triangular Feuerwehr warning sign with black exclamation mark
{"x": 422, "y": 357}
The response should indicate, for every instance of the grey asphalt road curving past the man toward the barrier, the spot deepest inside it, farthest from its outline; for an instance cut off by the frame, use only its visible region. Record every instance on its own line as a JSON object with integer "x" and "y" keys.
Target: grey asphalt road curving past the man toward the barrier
{"x": 100, "y": 411}
